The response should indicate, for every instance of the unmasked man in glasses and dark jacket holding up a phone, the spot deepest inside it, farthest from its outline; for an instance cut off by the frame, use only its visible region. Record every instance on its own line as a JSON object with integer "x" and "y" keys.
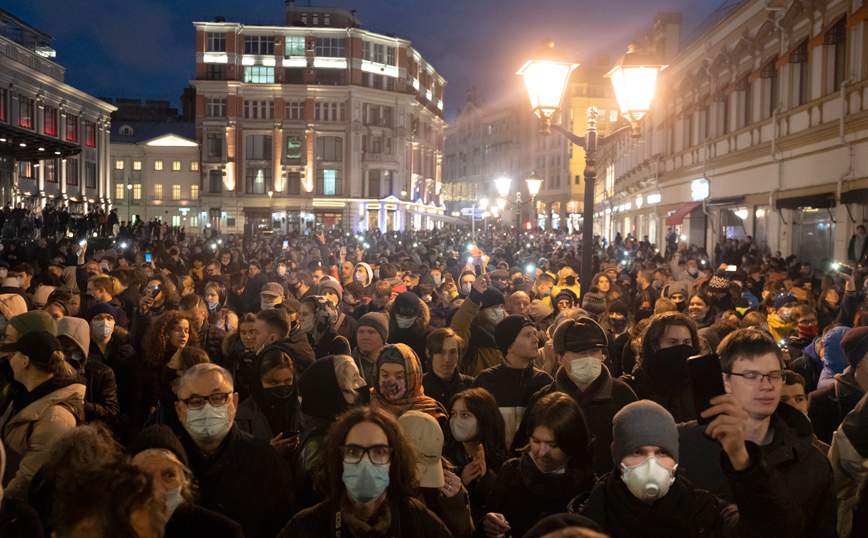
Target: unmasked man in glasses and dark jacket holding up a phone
{"x": 753, "y": 374}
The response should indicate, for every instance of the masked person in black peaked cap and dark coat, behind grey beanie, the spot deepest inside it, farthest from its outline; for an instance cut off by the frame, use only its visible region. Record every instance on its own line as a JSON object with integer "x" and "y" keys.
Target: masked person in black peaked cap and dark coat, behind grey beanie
{"x": 580, "y": 347}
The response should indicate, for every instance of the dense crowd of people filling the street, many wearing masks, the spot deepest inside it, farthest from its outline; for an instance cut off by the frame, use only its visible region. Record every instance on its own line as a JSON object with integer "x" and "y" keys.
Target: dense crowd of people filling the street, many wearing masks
{"x": 428, "y": 384}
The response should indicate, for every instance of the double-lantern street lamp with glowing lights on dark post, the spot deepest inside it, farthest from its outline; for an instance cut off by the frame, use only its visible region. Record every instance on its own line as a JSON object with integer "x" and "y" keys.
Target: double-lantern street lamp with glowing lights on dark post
{"x": 546, "y": 76}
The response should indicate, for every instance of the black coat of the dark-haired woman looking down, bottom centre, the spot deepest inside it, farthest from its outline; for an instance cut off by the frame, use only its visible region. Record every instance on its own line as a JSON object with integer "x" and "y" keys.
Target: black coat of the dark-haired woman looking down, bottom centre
{"x": 524, "y": 494}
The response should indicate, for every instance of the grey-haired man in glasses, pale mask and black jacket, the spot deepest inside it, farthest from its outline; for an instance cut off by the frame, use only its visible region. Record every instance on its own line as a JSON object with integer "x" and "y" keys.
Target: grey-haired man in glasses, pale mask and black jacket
{"x": 239, "y": 476}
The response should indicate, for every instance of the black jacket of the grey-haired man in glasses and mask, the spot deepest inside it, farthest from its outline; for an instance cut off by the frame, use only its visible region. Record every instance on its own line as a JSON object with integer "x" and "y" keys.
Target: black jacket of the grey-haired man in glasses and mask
{"x": 245, "y": 480}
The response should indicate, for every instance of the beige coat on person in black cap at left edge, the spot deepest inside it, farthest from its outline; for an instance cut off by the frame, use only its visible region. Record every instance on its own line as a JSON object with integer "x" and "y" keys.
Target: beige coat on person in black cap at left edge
{"x": 33, "y": 431}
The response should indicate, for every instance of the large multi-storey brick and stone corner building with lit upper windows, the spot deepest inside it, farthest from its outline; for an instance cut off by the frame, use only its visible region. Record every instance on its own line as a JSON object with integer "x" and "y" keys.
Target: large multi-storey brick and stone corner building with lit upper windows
{"x": 316, "y": 123}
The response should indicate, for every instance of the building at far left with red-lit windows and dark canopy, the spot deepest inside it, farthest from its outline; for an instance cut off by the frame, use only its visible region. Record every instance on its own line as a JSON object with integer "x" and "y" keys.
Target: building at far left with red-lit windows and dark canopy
{"x": 54, "y": 139}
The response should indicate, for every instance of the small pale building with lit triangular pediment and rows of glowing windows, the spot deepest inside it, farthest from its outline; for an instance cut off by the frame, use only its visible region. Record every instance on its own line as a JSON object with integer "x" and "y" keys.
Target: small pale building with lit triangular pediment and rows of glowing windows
{"x": 155, "y": 173}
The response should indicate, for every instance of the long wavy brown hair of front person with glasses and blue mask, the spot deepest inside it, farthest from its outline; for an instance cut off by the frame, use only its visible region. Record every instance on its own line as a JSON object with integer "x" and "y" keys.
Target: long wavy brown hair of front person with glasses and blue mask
{"x": 328, "y": 467}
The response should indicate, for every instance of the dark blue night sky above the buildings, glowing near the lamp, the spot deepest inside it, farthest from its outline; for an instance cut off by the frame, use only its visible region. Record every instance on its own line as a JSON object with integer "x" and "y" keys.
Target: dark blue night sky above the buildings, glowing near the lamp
{"x": 145, "y": 48}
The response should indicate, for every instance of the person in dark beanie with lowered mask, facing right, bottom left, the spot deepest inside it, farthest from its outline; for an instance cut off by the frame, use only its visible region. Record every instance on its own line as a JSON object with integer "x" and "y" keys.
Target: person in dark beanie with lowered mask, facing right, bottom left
{"x": 158, "y": 452}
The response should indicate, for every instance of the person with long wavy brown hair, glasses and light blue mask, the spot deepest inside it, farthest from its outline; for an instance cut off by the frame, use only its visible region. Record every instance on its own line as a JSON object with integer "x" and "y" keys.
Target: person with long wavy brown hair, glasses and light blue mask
{"x": 368, "y": 471}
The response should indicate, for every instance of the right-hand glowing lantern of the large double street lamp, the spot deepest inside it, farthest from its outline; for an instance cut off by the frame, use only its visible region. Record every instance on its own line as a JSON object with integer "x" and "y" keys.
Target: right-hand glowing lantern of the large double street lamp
{"x": 634, "y": 77}
